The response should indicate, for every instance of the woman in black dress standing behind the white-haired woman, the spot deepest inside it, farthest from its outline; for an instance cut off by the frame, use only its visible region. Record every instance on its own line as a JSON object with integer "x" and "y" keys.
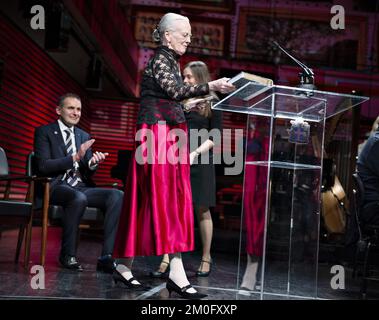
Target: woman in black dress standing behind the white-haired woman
{"x": 203, "y": 182}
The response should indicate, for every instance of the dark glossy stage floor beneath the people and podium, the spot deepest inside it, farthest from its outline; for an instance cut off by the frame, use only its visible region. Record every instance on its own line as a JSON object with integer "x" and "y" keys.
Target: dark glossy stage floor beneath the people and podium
{"x": 16, "y": 282}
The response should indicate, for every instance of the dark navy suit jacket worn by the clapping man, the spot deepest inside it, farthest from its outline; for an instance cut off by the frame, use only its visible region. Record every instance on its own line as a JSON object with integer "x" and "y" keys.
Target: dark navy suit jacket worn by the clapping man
{"x": 51, "y": 155}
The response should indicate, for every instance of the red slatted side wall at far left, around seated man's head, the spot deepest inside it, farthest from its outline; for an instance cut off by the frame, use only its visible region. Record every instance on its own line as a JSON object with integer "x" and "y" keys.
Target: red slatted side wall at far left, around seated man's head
{"x": 31, "y": 84}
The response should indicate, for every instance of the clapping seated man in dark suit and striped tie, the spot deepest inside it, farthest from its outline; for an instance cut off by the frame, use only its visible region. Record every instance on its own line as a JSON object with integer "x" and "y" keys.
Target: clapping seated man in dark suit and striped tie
{"x": 64, "y": 153}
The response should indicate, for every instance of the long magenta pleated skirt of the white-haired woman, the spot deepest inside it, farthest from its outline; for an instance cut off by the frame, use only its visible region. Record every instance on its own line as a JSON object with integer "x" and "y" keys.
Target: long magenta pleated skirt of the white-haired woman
{"x": 157, "y": 214}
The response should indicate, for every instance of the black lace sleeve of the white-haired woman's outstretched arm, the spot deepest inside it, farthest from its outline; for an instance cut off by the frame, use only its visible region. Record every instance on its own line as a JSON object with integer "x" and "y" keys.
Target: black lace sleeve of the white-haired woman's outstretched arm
{"x": 166, "y": 77}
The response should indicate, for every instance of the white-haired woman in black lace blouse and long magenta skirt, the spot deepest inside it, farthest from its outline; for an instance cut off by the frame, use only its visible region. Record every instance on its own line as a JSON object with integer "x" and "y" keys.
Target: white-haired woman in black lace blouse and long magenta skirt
{"x": 157, "y": 217}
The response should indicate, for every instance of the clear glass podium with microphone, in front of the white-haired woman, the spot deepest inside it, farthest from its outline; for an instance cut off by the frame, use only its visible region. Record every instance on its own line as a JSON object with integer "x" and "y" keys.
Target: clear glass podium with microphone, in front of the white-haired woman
{"x": 282, "y": 186}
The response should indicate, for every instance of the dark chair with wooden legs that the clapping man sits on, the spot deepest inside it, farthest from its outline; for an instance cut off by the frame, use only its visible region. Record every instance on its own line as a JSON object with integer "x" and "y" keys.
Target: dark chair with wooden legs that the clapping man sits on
{"x": 50, "y": 215}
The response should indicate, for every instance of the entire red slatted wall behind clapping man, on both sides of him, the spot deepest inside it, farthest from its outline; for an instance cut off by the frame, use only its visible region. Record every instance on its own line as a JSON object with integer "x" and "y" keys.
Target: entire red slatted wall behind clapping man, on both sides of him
{"x": 31, "y": 84}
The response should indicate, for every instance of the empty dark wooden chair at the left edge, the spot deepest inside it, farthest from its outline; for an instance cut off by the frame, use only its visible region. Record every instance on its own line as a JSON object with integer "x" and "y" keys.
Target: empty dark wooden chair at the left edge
{"x": 16, "y": 213}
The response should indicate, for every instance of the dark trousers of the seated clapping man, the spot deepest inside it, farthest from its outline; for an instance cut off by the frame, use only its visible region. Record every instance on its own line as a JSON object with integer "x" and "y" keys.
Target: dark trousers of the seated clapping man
{"x": 74, "y": 200}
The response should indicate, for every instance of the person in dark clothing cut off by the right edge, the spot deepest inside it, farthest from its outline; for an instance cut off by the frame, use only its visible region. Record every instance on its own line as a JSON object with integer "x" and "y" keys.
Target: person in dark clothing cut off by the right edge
{"x": 368, "y": 170}
